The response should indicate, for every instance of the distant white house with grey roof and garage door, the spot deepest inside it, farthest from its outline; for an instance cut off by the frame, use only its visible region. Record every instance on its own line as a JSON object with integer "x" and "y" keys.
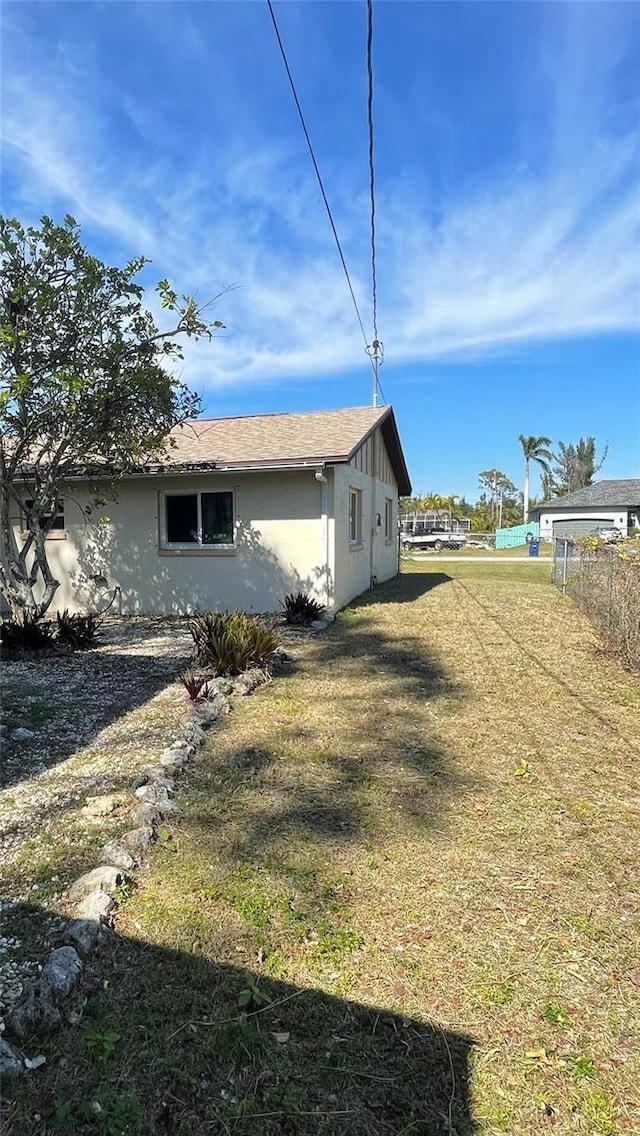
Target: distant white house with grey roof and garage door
{"x": 604, "y": 505}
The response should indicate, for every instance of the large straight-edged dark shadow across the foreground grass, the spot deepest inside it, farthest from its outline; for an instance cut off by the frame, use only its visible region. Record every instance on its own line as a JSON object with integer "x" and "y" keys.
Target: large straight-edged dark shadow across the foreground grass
{"x": 206, "y": 1047}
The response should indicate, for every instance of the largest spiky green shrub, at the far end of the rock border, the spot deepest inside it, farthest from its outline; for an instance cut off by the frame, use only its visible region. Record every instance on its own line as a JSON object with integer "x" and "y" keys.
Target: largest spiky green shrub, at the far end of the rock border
{"x": 232, "y": 642}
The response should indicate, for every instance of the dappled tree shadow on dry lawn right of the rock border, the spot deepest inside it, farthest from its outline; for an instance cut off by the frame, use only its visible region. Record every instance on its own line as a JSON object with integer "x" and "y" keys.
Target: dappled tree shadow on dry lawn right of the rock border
{"x": 342, "y": 769}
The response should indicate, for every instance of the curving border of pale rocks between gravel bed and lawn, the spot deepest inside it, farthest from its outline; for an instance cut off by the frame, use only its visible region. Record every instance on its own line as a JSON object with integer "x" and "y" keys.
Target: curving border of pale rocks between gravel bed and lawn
{"x": 56, "y": 997}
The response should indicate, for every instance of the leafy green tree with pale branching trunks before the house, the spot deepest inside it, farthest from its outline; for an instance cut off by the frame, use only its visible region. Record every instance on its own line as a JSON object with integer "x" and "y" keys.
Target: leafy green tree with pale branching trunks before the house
{"x": 85, "y": 386}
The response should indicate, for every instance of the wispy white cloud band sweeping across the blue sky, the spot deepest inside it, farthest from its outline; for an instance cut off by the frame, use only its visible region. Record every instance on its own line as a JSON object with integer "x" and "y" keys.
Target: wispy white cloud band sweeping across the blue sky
{"x": 539, "y": 257}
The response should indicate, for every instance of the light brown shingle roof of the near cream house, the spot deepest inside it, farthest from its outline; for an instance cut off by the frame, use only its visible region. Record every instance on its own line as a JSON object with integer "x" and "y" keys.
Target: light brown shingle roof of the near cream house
{"x": 275, "y": 439}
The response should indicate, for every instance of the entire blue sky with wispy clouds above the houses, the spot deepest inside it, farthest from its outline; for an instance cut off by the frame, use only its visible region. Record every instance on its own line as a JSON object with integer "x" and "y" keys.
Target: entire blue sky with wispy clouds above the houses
{"x": 508, "y": 165}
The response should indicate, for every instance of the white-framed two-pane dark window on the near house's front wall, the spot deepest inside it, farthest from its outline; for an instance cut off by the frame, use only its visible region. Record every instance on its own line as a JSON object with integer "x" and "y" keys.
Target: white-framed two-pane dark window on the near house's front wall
{"x": 197, "y": 521}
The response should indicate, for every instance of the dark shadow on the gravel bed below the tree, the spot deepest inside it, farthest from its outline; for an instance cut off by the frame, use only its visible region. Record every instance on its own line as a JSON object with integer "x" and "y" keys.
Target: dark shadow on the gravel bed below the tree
{"x": 67, "y": 701}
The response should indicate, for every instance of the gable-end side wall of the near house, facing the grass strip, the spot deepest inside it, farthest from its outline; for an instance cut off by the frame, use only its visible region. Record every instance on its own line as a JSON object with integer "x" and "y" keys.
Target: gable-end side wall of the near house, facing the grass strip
{"x": 375, "y": 556}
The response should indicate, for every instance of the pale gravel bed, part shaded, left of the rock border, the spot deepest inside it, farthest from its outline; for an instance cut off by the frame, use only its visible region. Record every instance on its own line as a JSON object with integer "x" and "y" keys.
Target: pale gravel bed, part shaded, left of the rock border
{"x": 78, "y": 729}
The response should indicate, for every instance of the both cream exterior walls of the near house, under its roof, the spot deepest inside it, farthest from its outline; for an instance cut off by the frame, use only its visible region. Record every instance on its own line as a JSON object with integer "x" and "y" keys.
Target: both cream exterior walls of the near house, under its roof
{"x": 292, "y": 533}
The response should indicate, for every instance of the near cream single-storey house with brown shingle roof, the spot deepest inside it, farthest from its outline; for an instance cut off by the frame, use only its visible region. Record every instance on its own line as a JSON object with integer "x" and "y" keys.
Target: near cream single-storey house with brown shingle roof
{"x": 243, "y": 512}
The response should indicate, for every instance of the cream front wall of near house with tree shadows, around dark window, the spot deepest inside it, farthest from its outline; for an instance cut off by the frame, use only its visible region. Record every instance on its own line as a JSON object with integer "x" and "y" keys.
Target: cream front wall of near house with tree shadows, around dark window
{"x": 280, "y": 547}
